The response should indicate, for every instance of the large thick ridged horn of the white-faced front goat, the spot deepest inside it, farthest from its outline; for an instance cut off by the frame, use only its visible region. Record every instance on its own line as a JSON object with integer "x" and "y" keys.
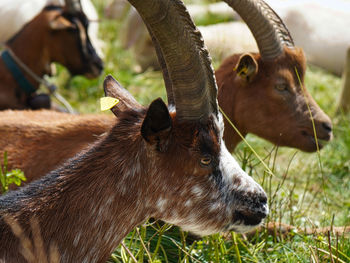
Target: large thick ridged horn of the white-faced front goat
{"x": 187, "y": 60}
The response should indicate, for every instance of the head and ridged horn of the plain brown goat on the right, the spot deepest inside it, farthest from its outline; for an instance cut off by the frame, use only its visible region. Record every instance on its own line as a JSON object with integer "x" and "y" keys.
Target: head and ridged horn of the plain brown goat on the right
{"x": 271, "y": 100}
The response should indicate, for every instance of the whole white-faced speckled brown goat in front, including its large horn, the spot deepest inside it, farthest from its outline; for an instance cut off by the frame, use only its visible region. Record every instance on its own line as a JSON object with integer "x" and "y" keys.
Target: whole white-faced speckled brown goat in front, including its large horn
{"x": 172, "y": 165}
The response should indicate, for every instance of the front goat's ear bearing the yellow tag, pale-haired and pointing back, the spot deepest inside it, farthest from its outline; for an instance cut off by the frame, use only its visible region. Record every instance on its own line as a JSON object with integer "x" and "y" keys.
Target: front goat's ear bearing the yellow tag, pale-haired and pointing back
{"x": 114, "y": 89}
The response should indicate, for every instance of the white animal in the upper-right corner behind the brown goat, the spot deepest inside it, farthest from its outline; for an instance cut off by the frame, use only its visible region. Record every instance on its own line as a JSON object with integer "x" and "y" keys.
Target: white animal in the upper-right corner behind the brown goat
{"x": 320, "y": 27}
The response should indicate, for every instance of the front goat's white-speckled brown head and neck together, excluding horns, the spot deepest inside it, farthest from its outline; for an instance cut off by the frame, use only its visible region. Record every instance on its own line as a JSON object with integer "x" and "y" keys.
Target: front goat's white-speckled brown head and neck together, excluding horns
{"x": 141, "y": 168}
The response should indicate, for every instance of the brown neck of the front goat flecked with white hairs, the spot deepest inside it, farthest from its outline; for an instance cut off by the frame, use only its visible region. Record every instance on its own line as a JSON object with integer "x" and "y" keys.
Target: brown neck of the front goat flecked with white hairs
{"x": 89, "y": 205}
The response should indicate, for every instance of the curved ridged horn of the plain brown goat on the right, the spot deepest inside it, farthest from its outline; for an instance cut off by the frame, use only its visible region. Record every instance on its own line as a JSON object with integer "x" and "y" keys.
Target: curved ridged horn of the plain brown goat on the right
{"x": 267, "y": 27}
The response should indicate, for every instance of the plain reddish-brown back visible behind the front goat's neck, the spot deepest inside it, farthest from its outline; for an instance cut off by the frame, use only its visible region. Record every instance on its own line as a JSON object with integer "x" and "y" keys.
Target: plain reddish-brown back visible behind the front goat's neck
{"x": 38, "y": 141}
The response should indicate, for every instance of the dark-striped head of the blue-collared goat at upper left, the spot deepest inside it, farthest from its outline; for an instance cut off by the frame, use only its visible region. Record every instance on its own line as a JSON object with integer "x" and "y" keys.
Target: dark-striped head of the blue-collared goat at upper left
{"x": 69, "y": 40}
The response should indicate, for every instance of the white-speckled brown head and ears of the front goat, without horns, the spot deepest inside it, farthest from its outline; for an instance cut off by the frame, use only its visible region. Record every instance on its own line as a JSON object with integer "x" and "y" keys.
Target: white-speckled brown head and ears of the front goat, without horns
{"x": 192, "y": 180}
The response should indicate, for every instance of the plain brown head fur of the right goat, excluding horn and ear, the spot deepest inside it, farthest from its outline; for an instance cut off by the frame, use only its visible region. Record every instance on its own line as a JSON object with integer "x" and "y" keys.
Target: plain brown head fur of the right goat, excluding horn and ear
{"x": 255, "y": 106}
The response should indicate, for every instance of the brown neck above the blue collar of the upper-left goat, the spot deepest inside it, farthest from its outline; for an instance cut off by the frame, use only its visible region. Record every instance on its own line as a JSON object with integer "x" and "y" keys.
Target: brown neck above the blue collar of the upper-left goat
{"x": 29, "y": 46}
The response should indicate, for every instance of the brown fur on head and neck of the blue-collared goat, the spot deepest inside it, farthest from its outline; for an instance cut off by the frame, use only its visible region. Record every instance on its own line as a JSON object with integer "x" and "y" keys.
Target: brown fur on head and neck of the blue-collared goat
{"x": 37, "y": 45}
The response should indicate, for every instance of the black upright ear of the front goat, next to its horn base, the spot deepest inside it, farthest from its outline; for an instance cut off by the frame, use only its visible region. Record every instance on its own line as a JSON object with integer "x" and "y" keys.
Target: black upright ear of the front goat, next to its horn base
{"x": 157, "y": 124}
